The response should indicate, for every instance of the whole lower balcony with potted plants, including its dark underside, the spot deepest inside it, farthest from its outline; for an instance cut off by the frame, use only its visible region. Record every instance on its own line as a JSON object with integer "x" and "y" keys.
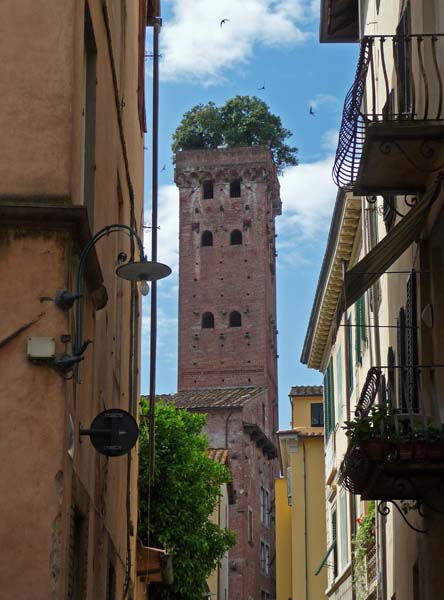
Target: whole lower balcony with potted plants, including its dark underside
{"x": 395, "y": 451}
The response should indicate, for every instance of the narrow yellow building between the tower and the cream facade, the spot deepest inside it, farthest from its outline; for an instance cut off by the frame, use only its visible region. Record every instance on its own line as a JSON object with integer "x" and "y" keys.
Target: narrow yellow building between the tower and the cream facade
{"x": 300, "y": 500}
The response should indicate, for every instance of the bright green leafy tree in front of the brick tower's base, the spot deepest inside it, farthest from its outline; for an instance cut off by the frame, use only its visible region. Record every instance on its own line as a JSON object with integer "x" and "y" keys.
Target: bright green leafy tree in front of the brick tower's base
{"x": 185, "y": 491}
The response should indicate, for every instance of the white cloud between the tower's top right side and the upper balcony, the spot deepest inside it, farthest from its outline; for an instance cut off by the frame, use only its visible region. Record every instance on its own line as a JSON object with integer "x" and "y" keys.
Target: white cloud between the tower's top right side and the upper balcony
{"x": 308, "y": 196}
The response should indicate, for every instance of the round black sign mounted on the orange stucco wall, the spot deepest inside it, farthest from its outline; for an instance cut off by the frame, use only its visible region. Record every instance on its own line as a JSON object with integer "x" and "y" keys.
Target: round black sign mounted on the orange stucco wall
{"x": 114, "y": 432}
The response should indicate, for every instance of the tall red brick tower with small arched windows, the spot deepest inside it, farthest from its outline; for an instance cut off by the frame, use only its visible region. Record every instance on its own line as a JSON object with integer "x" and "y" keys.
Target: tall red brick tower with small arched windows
{"x": 227, "y": 335}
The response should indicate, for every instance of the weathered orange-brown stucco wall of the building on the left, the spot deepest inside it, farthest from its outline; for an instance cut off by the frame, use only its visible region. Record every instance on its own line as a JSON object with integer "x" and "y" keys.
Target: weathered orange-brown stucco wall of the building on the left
{"x": 40, "y": 159}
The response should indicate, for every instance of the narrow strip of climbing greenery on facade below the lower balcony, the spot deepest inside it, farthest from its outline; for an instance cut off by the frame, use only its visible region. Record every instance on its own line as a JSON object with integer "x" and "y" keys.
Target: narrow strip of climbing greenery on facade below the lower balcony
{"x": 363, "y": 540}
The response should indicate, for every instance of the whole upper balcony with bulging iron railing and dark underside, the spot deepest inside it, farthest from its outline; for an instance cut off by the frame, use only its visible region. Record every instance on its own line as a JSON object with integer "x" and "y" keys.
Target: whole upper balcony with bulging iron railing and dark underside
{"x": 392, "y": 133}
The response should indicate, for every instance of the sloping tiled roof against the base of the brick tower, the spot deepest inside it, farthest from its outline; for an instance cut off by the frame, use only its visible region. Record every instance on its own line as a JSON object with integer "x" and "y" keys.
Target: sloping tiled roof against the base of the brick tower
{"x": 235, "y": 397}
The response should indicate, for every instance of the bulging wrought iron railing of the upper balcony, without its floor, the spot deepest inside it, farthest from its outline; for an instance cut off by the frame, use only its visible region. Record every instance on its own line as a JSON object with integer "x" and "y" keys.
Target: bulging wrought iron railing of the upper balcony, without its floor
{"x": 398, "y": 78}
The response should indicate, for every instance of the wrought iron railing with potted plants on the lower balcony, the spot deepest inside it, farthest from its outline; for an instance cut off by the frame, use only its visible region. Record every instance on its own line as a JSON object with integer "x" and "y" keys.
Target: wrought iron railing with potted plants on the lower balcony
{"x": 390, "y": 426}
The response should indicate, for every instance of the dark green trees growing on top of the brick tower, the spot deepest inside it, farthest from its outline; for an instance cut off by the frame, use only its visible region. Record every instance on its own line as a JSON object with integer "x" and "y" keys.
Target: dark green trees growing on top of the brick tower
{"x": 241, "y": 121}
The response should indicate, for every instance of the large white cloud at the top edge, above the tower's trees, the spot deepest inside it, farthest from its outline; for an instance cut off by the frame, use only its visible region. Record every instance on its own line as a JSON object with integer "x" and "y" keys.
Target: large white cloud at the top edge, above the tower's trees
{"x": 196, "y": 48}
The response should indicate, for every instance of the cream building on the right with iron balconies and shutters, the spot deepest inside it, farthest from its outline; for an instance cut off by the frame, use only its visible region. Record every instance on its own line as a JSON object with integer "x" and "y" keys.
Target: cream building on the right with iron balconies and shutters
{"x": 376, "y": 326}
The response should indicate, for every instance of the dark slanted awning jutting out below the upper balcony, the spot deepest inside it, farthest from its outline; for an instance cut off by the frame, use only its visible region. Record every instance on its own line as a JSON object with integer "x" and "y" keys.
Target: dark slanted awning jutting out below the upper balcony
{"x": 368, "y": 270}
